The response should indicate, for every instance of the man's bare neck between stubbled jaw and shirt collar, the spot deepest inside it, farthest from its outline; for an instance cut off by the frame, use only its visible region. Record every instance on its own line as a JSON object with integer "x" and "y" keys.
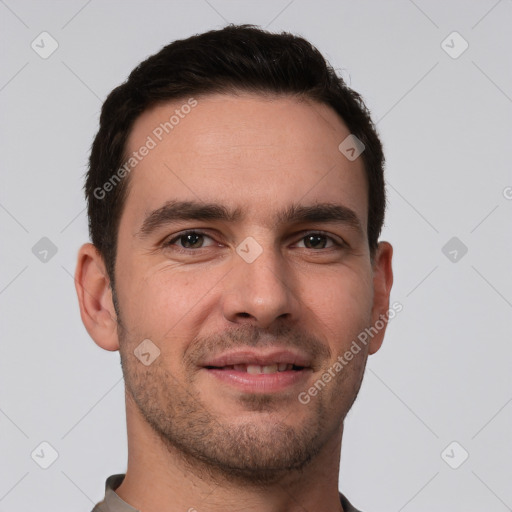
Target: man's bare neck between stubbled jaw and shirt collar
{"x": 160, "y": 477}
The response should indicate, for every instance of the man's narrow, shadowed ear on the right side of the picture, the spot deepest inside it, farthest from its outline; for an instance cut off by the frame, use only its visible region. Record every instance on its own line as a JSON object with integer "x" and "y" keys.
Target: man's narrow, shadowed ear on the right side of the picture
{"x": 382, "y": 283}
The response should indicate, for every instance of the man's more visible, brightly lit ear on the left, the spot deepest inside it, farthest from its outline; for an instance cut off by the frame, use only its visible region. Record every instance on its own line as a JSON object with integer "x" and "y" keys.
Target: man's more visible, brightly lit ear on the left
{"x": 95, "y": 298}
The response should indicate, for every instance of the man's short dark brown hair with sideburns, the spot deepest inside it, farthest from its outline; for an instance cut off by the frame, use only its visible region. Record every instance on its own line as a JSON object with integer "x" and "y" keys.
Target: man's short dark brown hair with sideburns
{"x": 236, "y": 58}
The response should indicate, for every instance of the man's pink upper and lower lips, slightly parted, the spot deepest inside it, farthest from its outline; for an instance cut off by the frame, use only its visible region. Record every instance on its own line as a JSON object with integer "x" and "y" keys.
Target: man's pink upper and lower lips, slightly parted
{"x": 259, "y": 383}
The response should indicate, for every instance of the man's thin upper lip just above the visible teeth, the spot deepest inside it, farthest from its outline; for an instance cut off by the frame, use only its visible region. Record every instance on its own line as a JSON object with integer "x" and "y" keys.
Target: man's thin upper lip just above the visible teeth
{"x": 274, "y": 356}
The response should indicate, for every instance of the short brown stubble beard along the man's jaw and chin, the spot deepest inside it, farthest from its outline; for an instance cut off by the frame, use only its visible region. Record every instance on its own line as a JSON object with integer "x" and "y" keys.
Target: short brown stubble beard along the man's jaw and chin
{"x": 256, "y": 453}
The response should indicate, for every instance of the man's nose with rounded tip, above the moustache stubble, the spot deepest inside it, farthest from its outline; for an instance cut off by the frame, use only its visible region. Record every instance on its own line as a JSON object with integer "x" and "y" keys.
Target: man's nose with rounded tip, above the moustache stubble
{"x": 261, "y": 292}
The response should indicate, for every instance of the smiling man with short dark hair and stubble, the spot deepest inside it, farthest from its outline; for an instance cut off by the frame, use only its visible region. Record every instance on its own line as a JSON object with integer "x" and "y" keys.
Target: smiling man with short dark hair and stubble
{"x": 236, "y": 197}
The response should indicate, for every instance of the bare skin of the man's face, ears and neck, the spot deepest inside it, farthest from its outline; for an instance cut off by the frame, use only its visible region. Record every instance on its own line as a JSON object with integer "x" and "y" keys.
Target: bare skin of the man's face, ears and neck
{"x": 194, "y": 441}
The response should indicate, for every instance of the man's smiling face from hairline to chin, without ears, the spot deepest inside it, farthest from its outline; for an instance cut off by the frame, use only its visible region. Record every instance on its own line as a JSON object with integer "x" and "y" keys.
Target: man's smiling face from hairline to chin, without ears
{"x": 243, "y": 256}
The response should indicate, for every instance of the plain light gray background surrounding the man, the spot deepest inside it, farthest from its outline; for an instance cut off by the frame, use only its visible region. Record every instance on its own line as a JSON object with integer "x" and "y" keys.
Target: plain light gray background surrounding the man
{"x": 444, "y": 372}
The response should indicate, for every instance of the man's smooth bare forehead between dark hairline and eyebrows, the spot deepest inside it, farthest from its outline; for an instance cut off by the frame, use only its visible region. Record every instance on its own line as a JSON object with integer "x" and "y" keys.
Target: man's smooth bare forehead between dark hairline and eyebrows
{"x": 258, "y": 153}
